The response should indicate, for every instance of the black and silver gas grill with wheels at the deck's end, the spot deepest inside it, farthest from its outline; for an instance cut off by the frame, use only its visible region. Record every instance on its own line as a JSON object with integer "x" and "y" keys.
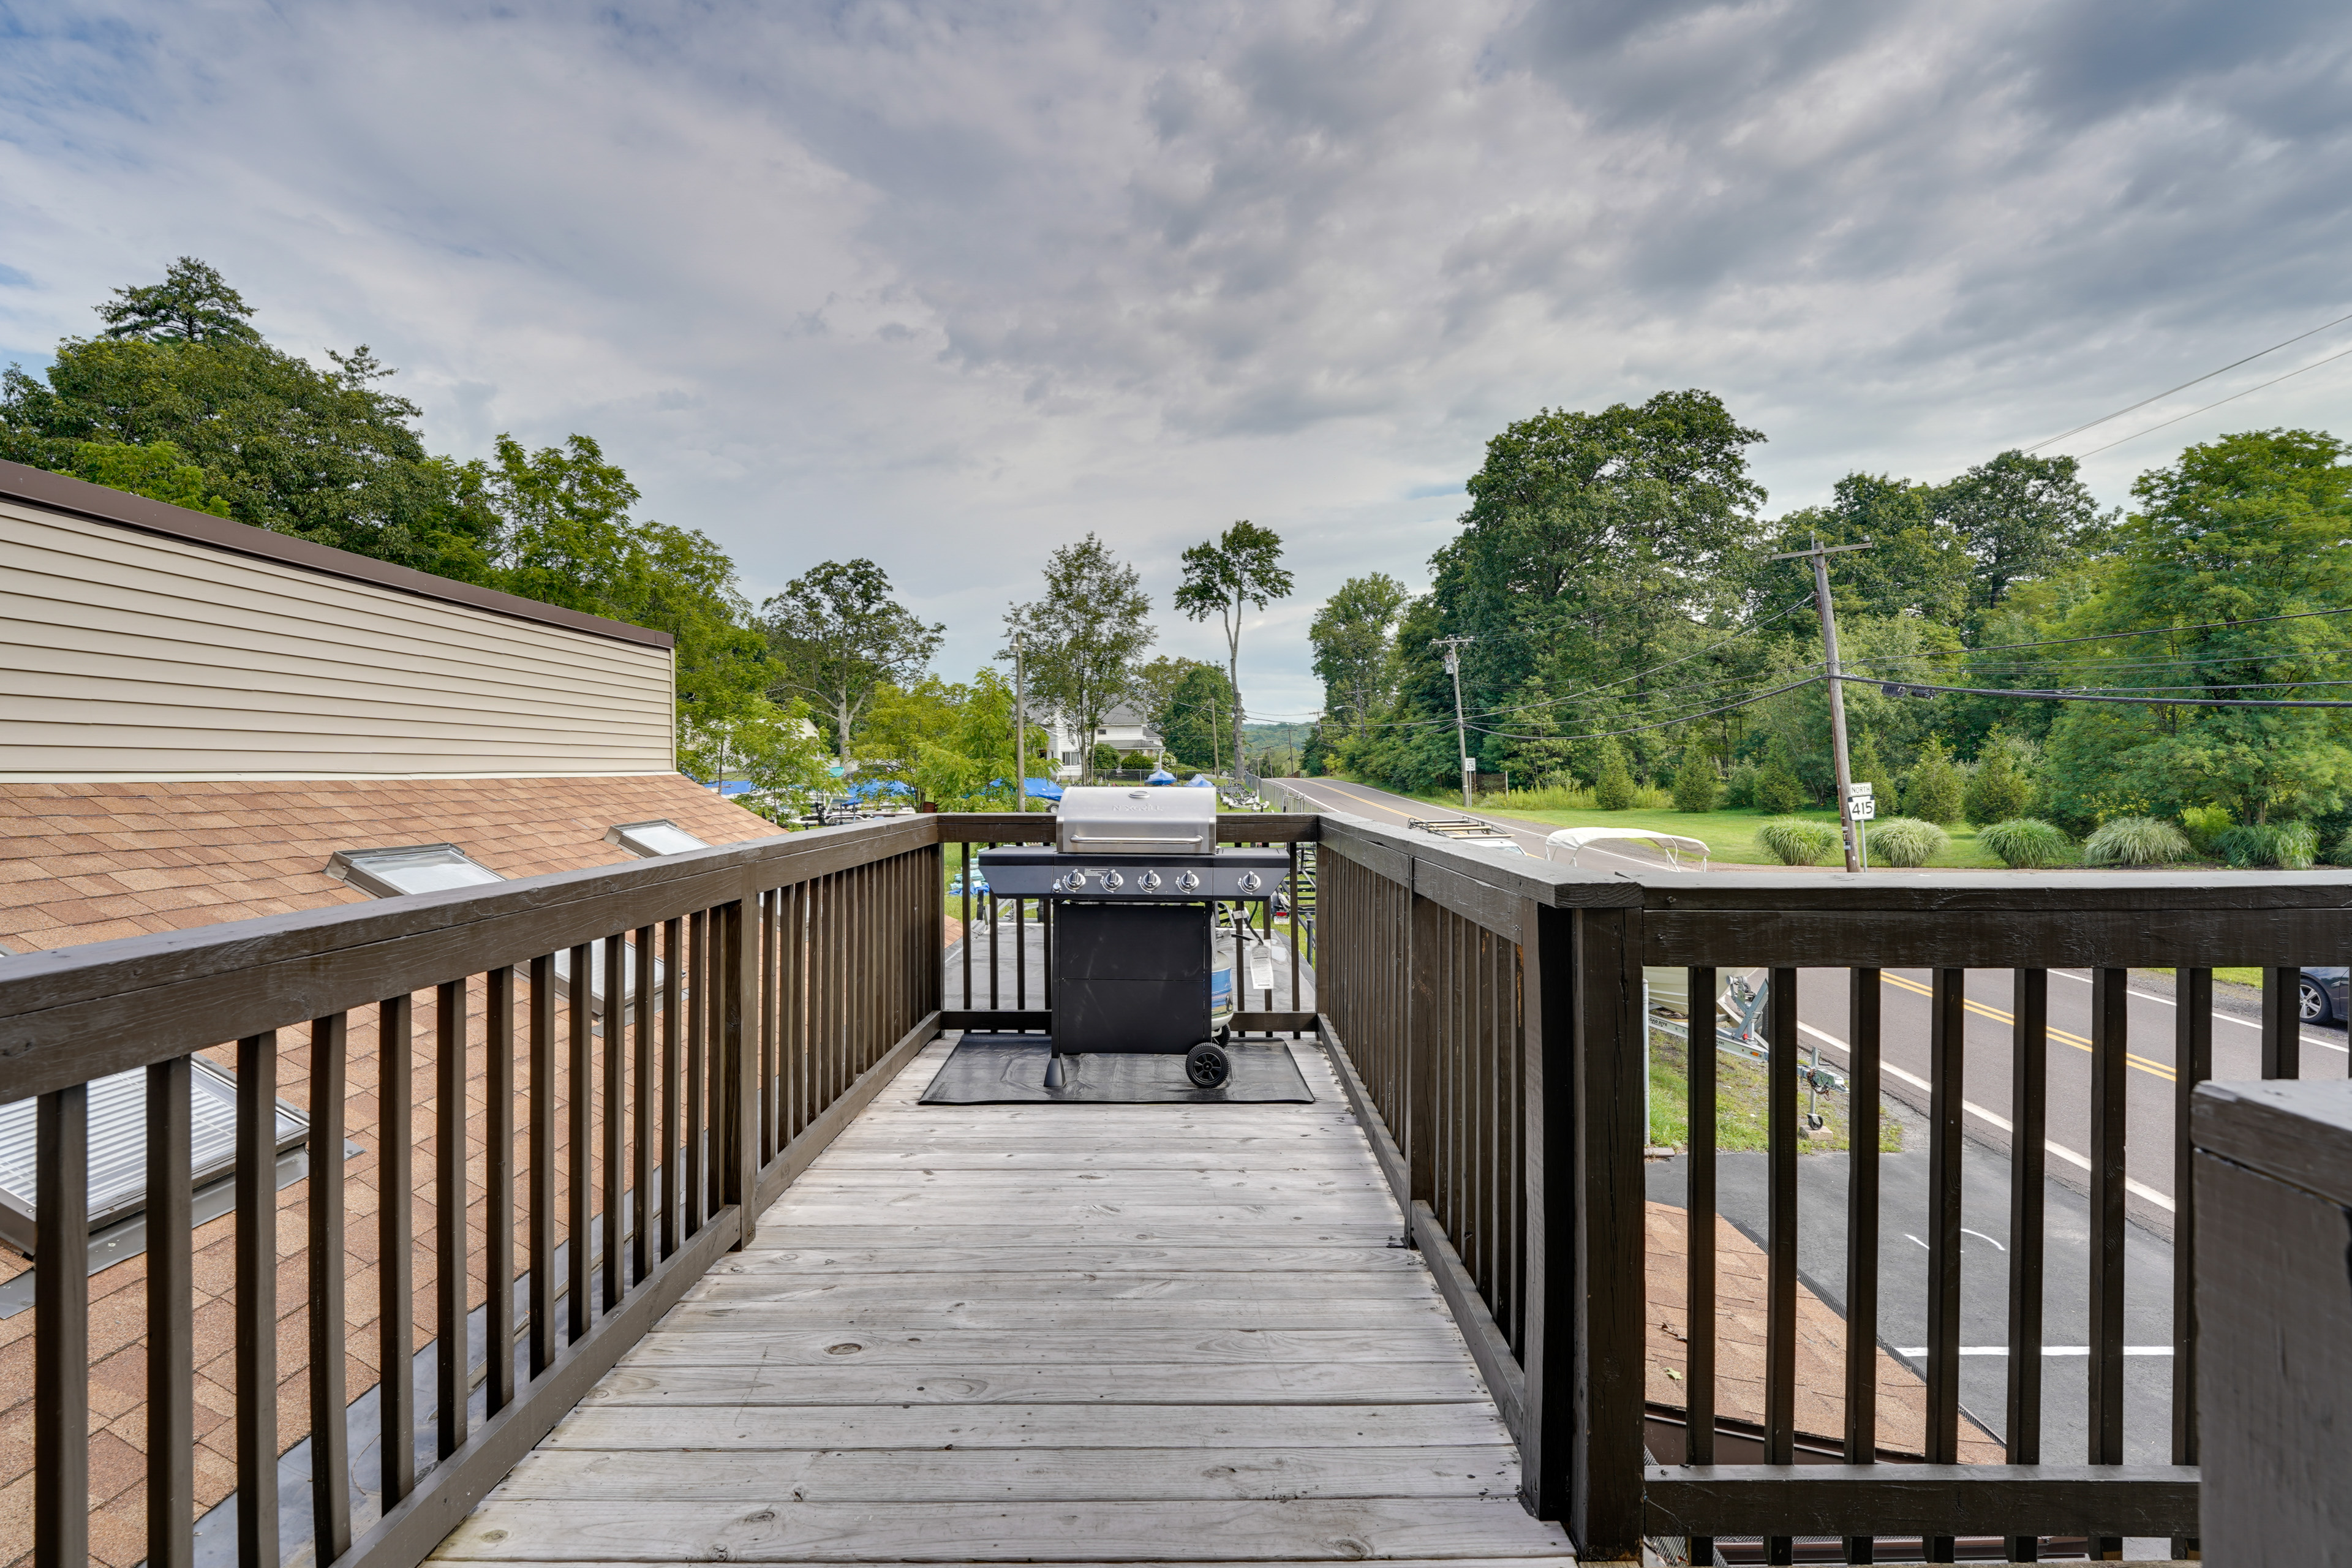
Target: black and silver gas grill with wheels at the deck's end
{"x": 1130, "y": 890}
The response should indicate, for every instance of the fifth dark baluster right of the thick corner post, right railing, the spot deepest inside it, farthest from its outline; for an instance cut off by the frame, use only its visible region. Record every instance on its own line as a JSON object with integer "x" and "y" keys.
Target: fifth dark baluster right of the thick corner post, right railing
{"x": 2029, "y": 1148}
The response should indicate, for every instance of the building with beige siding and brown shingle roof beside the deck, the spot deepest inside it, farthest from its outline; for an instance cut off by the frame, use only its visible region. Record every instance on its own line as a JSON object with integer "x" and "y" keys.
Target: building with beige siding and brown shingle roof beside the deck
{"x": 206, "y": 723}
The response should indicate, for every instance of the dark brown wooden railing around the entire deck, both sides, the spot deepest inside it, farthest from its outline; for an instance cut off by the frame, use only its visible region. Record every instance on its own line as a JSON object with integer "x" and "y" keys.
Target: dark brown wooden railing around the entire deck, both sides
{"x": 1485, "y": 1014}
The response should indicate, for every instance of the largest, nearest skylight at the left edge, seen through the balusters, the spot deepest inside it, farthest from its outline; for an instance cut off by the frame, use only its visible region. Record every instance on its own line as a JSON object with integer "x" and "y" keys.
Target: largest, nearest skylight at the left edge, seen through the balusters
{"x": 119, "y": 1146}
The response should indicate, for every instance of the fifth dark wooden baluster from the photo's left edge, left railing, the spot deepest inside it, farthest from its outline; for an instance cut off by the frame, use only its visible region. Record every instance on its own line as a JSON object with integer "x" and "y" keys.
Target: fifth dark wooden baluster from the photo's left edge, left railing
{"x": 396, "y": 1252}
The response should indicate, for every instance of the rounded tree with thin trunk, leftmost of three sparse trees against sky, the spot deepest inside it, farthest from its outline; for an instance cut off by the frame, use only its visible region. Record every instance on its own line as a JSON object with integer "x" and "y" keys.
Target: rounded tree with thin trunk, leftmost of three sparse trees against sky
{"x": 836, "y": 634}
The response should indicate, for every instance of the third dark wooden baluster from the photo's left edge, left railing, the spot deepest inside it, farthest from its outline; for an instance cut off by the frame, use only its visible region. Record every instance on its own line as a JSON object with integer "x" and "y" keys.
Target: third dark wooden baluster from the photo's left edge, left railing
{"x": 258, "y": 1299}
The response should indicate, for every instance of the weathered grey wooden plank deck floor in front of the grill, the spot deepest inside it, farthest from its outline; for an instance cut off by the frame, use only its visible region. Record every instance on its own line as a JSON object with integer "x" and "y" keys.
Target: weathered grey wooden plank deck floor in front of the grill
{"x": 1064, "y": 1334}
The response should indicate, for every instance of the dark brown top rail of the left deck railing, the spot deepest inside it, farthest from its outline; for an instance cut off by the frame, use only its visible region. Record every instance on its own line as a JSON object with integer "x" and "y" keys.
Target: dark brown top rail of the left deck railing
{"x": 76, "y": 1014}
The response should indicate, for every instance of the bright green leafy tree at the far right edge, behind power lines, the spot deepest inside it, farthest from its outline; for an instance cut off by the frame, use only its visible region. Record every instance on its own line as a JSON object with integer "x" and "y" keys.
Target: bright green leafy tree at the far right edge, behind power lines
{"x": 2233, "y": 532}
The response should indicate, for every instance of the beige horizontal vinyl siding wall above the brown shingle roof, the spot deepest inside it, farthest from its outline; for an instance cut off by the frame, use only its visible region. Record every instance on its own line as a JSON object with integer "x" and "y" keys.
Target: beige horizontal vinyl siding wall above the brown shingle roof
{"x": 140, "y": 657}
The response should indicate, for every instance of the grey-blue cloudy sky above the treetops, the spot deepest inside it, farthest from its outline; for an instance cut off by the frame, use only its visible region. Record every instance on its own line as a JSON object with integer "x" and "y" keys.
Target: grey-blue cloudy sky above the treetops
{"x": 954, "y": 283}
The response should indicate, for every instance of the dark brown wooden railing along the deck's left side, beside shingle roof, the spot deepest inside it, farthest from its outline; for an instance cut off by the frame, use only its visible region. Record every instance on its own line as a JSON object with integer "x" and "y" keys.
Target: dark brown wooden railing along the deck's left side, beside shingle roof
{"x": 742, "y": 1007}
